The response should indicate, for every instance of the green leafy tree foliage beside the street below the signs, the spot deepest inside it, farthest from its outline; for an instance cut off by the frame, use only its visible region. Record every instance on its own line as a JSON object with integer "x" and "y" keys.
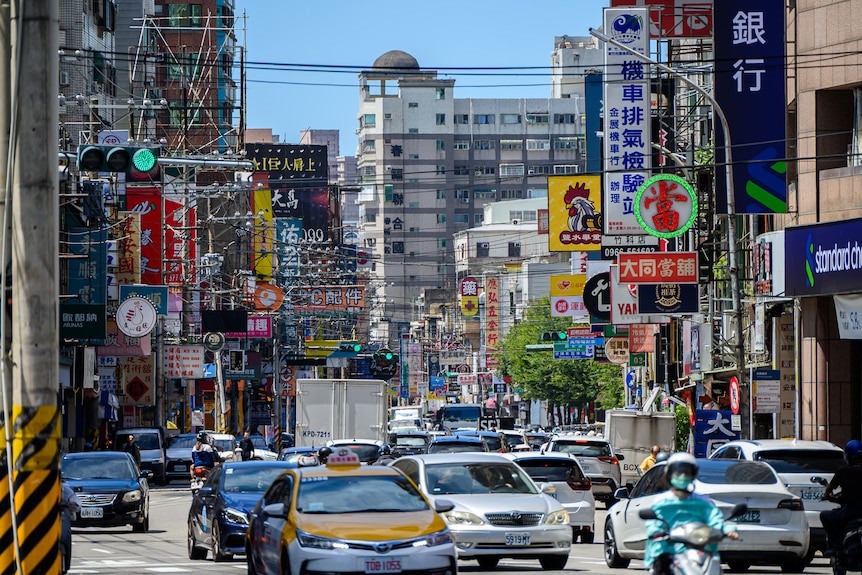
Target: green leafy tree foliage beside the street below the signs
{"x": 571, "y": 383}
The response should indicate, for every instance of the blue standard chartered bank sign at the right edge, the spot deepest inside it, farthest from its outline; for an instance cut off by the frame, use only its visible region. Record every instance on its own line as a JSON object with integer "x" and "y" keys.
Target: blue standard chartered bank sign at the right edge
{"x": 823, "y": 259}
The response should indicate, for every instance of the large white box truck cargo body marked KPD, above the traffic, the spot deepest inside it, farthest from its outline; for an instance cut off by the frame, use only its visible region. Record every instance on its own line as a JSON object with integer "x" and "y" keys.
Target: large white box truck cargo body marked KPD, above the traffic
{"x": 328, "y": 409}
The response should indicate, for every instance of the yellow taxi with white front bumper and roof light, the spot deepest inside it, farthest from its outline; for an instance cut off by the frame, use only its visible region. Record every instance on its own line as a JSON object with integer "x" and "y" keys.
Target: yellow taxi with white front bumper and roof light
{"x": 345, "y": 517}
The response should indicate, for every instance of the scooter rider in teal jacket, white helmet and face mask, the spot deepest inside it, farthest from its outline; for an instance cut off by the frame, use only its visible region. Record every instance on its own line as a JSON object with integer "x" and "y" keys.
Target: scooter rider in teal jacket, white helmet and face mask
{"x": 679, "y": 505}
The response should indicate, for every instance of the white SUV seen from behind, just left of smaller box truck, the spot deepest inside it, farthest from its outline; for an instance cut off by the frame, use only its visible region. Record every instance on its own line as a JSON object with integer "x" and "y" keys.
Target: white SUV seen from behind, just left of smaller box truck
{"x": 597, "y": 459}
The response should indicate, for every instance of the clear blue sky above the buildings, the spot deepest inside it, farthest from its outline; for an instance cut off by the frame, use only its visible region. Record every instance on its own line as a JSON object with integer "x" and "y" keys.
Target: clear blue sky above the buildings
{"x": 440, "y": 34}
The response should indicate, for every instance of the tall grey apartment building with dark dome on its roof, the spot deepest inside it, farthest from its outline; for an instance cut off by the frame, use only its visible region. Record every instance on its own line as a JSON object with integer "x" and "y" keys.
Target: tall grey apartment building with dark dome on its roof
{"x": 429, "y": 162}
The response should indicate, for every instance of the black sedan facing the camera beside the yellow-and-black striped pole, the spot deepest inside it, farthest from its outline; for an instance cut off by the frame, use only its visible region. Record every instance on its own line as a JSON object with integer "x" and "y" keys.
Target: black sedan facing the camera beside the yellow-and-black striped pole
{"x": 111, "y": 490}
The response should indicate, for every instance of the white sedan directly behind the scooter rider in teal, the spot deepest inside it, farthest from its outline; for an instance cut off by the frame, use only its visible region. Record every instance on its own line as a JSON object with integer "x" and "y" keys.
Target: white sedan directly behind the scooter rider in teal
{"x": 773, "y": 531}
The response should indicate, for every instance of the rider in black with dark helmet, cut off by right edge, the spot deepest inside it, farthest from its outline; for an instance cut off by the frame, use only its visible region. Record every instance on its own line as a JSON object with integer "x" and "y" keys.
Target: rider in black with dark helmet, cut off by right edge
{"x": 846, "y": 482}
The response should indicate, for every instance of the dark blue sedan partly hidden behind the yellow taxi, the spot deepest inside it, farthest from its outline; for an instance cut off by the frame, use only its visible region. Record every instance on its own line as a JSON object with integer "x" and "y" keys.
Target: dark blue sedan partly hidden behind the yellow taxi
{"x": 218, "y": 517}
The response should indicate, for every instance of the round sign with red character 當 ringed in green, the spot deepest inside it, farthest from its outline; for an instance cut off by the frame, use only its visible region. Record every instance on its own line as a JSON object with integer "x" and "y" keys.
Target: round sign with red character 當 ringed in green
{"x": 665, "y": 206}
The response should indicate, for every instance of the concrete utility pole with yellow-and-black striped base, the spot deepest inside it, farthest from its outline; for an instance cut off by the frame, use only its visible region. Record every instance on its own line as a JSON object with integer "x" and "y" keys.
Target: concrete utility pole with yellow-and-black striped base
{"x": 32, "y": 209}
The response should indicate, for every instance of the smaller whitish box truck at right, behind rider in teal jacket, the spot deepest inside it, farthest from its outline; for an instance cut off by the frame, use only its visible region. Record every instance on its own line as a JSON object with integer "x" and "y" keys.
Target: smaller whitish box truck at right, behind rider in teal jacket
{"x": 633, "y": 433}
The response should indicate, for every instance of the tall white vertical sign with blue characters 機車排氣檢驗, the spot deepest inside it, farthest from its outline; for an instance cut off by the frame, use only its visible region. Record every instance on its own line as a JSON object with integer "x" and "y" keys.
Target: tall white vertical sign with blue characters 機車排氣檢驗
{"x": 627, "y": 119}
